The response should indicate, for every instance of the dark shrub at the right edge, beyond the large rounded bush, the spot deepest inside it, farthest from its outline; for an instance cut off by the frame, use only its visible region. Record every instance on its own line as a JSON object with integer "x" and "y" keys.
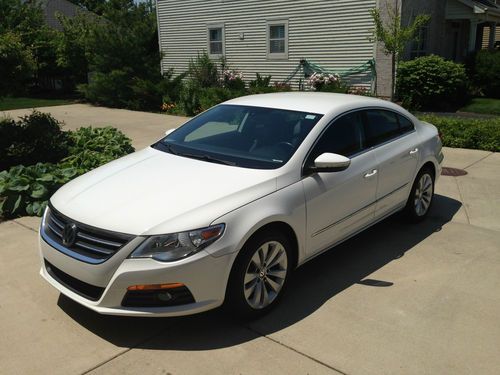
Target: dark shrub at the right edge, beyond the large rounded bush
{"x": 487, "y": 73}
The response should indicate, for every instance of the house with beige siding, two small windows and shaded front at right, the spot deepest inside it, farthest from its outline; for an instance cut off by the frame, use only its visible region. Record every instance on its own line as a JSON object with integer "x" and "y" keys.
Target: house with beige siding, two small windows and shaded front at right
{"x": 273, "y": 37}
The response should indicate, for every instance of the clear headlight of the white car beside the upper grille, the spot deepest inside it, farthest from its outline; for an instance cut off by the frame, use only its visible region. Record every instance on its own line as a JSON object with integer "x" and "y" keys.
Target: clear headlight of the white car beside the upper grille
{"x": 170, "y": 247}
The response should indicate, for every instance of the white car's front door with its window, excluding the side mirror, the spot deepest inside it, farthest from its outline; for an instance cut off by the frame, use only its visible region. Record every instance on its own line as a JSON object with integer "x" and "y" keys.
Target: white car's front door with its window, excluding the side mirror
{"x": 340, "y": 203}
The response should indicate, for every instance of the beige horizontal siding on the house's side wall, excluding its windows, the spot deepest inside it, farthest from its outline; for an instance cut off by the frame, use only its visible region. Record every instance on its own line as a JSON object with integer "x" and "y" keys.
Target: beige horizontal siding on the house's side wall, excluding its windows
{"x": 332, "y": 33}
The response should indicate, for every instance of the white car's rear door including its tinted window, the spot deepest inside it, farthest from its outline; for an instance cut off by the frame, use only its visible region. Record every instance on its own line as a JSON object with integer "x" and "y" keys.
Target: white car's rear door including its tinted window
{"x": 396, "y": 148}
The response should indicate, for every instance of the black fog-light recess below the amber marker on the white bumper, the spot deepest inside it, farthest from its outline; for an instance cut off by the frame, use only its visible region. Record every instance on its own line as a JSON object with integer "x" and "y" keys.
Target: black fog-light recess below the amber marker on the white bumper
{"x": 156, "y": 298}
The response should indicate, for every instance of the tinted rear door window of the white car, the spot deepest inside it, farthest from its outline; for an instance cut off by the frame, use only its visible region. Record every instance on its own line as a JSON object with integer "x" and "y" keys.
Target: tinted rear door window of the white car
{"x": 382, "y": 126}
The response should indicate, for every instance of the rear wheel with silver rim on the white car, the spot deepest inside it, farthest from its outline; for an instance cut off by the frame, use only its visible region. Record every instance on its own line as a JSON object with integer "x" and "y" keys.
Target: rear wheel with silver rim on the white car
{"x": 421, "y": 196}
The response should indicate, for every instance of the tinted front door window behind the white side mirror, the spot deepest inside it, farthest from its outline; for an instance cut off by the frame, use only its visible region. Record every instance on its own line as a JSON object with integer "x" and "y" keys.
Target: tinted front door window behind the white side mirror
{"x": 344, "y": 137}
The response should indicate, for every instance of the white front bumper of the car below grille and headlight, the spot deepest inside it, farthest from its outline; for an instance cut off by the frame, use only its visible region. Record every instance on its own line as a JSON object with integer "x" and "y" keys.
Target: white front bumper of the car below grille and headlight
{"x": 203, "y": 274}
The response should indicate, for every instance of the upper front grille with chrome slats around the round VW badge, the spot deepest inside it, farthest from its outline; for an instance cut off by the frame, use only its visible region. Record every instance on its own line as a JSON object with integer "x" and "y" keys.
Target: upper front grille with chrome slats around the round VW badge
{"x": 90, "y": 244}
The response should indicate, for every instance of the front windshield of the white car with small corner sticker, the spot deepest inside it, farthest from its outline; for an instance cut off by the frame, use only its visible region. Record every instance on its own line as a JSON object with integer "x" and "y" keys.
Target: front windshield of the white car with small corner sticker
{"x": 245, "y": 136}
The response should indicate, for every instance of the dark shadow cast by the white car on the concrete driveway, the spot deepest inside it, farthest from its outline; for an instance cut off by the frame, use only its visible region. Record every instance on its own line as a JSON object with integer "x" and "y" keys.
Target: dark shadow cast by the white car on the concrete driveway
{"x": 311, "y": 286}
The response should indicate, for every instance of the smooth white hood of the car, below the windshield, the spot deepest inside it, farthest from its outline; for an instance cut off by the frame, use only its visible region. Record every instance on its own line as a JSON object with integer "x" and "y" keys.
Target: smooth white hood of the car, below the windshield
{"x": 153, "y": 192}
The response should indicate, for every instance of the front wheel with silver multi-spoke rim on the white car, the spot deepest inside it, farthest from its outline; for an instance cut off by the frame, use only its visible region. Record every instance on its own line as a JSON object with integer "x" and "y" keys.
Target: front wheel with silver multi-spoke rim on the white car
{"x": 260, "y": 274}
